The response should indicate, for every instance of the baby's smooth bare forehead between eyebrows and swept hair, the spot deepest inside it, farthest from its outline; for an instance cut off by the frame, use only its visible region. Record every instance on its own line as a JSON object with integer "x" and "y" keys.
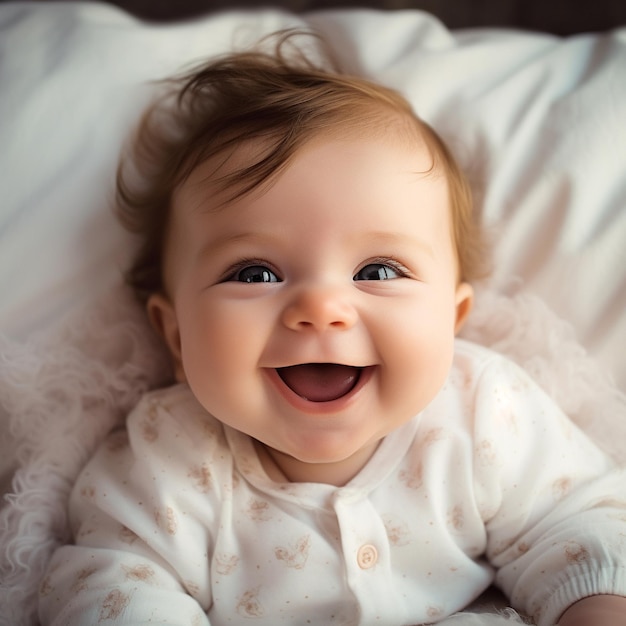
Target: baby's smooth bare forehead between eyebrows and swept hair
{"x": 354, "y": 184}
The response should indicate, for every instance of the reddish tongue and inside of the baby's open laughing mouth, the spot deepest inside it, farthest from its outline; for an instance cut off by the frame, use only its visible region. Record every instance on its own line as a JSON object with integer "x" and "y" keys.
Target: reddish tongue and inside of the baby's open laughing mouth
{"x": 320, "y": 382}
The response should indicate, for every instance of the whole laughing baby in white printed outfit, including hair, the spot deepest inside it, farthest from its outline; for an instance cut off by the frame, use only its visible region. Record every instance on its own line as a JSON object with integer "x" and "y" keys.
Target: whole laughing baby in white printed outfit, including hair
{"x": 330, "y": 453}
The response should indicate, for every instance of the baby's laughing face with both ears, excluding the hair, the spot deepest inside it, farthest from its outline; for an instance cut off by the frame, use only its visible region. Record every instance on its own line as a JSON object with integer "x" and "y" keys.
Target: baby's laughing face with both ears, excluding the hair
{"x": 319, "y": 315}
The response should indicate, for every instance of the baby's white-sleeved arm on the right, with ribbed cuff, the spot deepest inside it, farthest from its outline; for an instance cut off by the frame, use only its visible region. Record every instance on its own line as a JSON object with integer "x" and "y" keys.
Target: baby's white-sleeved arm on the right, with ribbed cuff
{"x": 557, "y": 533}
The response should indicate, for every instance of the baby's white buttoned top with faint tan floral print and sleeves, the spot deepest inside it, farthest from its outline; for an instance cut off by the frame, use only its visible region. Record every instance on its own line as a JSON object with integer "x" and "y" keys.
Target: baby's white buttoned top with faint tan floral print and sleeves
{"x": 177, "y": 522}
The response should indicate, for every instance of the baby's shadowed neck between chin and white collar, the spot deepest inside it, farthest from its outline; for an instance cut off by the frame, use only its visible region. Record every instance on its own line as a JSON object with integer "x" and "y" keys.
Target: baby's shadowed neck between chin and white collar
{"x": 284, "y": 468}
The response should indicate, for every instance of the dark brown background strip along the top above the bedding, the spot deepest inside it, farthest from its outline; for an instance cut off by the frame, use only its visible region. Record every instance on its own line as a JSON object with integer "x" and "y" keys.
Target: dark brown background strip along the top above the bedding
{"x": 560, "y": 17}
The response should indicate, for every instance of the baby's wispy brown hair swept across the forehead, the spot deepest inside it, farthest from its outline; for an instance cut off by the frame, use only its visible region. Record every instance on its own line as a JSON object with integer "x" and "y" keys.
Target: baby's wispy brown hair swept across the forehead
{"x": 281, "y": 102}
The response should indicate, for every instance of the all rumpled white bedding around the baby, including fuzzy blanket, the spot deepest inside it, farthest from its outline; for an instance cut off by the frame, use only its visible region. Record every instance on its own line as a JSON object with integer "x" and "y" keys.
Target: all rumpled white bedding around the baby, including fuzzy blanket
{"x": 539, "y": 123}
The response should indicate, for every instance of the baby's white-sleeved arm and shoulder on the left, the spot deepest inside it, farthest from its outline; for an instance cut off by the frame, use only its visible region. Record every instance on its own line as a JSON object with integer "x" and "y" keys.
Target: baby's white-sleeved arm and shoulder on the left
{"x": 141, "y": 551}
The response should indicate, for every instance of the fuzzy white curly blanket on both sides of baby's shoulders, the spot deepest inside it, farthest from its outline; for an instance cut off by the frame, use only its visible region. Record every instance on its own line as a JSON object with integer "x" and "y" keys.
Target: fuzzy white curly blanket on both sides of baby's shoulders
{"x": 63, "y": 390}
